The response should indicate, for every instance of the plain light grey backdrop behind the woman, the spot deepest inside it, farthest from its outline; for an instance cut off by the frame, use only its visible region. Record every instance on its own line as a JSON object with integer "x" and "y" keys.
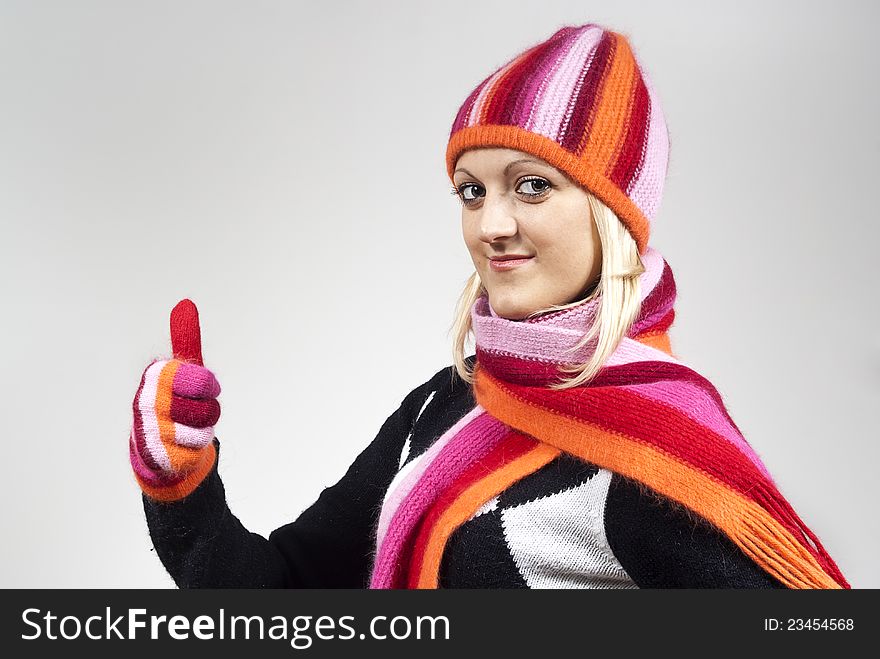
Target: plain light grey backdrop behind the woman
{"x": 282, "y": 165}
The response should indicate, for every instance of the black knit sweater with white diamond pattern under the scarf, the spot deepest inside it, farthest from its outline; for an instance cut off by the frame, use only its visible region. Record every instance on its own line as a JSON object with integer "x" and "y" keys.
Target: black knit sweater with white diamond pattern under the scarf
{"x": 617, "y": 533}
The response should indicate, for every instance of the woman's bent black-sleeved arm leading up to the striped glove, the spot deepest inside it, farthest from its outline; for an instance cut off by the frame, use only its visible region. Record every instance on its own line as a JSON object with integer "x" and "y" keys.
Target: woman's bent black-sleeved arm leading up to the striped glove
{"x": 203, "y": 545}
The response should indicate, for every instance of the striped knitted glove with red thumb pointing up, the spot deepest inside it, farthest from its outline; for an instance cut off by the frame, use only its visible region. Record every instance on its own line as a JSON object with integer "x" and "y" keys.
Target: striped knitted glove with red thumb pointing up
{"x": 174, "y": 411}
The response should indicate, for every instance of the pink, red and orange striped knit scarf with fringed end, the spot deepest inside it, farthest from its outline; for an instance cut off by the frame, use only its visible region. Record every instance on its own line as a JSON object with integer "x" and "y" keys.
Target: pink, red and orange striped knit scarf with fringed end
{"x": 645, "y": 416}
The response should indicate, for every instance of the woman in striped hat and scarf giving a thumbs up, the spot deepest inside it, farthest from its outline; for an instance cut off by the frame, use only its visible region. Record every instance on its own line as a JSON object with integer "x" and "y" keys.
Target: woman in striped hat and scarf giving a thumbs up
{"x": 573, "y": 449}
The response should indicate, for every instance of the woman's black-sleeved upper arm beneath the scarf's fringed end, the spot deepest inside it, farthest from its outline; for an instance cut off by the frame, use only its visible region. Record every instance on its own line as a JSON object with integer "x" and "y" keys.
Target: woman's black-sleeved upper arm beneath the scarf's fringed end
{"x": 662, "y": 545}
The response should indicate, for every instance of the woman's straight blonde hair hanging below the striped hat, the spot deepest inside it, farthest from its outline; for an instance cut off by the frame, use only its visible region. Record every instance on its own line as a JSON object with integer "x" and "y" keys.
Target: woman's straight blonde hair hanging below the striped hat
{"x": 617, "y": 287}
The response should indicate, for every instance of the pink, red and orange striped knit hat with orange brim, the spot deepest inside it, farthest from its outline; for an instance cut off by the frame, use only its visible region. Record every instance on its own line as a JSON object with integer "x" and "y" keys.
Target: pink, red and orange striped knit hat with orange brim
{"x": 582, "y": 102}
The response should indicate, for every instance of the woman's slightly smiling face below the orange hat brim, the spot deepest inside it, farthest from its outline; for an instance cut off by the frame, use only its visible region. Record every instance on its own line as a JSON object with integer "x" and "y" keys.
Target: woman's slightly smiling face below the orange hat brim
{"x": 515, "y": 204}
